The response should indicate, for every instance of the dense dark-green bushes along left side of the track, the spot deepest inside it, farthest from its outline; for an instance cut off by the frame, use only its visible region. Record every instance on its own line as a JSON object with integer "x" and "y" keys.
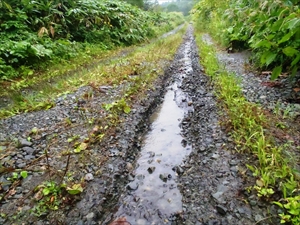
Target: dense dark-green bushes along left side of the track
{"x": 35, "y": 35}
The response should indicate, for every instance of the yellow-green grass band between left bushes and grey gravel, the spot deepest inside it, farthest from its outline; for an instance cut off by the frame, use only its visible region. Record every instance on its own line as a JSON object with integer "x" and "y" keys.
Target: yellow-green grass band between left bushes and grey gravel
{"x": 94, "y": 67}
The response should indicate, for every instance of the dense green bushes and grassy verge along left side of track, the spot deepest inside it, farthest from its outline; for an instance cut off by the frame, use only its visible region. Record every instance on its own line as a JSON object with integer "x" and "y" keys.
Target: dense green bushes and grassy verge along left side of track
{"x": 45, "y": 43}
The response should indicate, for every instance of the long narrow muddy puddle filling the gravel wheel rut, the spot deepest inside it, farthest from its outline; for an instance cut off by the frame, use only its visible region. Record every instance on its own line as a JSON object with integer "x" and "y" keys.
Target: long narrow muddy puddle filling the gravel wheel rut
{"x": 153, "y": 196}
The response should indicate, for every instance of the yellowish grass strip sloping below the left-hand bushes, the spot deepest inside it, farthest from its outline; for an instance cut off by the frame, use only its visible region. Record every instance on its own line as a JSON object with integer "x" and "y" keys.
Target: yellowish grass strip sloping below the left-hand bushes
{"x": 114, "y": 71}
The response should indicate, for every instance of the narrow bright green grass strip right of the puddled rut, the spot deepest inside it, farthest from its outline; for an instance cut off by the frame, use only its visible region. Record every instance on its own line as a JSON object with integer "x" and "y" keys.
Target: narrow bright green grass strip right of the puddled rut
{"x": 249, "y": 126}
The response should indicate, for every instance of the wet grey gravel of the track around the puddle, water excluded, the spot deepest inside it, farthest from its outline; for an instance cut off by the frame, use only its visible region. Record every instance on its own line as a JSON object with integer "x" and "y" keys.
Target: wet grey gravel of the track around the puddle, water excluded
{"x": 211, "y": 179}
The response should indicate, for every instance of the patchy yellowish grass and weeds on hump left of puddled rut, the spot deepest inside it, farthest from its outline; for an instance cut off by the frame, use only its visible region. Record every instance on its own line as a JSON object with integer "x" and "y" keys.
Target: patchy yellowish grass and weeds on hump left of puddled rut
{"x": 61, "y": 189}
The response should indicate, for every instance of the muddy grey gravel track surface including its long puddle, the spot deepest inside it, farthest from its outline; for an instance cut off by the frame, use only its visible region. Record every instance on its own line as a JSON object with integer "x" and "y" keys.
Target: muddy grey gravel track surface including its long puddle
{"x": 168, "y": 162}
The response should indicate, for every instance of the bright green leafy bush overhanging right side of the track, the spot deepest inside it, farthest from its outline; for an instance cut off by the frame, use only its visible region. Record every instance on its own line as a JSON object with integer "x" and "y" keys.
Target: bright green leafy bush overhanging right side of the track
{"x": 270, "y": 29}
